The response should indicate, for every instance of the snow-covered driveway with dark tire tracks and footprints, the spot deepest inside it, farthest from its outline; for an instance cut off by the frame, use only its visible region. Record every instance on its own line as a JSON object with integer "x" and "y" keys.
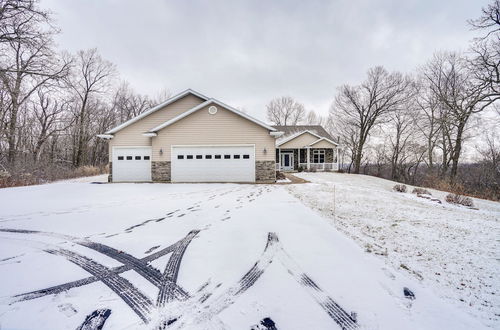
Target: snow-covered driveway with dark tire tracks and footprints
{"x": 194, "y": 256}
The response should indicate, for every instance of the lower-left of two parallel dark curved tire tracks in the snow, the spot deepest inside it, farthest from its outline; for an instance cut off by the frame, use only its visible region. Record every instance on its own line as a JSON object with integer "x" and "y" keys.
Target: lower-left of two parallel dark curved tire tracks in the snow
{"x": 135, "y": 299}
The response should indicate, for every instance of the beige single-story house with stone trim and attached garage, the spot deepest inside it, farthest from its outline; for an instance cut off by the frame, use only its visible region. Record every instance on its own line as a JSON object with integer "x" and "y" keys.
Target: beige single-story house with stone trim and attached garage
{"x": 194, "y": 138}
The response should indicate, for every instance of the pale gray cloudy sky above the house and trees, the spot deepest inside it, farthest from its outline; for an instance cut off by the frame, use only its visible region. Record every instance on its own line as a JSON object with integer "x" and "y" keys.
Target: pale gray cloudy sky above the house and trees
{"x": 247, "y": 52}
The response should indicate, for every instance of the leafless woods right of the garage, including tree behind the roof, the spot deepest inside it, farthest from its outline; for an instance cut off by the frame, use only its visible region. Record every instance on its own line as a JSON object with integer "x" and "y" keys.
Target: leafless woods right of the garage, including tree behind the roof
{"x": 413, "y": 127}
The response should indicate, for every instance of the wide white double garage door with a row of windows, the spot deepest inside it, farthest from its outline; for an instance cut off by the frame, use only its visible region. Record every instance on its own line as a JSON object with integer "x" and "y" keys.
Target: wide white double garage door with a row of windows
{"x": 213, "y": 164}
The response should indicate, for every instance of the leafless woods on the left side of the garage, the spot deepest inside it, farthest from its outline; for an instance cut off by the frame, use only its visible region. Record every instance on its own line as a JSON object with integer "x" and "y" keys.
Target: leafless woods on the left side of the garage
{"x": 53, "y": 103}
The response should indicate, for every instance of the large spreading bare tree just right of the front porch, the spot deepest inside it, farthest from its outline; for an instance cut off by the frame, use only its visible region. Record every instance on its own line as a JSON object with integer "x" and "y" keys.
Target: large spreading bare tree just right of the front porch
{"x": 360, "y": 108}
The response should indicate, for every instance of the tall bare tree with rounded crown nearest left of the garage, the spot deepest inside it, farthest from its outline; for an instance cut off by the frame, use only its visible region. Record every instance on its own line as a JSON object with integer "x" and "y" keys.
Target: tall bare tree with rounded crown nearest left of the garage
{"x": 91, "y": 75}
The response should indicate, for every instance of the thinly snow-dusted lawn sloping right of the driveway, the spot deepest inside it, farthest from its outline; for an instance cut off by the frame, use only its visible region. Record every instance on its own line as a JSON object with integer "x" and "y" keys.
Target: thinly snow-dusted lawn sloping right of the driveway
{"x": 452, "y": 250}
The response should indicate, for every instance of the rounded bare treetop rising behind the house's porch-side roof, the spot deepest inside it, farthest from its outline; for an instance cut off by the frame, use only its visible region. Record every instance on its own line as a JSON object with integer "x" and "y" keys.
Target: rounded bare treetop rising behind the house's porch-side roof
{"x": 285, "y": 111}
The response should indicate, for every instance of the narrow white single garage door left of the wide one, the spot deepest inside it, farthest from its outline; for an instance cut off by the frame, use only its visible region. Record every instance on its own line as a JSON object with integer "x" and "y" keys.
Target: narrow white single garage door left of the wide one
{"x": 131, "y": 164}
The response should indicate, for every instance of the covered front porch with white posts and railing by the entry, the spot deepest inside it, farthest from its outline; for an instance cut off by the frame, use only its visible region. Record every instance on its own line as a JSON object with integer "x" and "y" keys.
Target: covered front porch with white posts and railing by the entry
{"x": 306, "y": 159}
